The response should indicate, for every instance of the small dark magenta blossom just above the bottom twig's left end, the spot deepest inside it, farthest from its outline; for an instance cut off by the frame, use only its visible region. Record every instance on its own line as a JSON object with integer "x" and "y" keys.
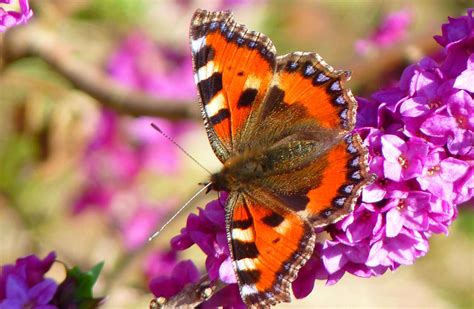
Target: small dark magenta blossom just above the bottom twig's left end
{"x": 167, "y": 286}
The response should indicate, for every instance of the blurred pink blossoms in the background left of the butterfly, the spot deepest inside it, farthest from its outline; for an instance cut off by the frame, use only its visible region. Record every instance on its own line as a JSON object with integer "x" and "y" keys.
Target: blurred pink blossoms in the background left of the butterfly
{"x": 124, "y": 149}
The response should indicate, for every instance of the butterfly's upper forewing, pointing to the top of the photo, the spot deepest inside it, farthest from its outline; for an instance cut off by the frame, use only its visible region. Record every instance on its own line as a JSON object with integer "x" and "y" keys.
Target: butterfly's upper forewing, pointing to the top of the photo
{"x": 233, "y": 68}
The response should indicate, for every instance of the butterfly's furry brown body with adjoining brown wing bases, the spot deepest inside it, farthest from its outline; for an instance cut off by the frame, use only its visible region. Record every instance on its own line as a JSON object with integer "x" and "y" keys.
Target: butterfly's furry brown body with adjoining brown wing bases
{"x": 287, "y": 156}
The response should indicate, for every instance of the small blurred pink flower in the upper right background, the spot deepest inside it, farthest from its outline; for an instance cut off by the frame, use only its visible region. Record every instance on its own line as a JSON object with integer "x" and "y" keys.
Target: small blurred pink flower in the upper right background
{"x": 392, "y": 29}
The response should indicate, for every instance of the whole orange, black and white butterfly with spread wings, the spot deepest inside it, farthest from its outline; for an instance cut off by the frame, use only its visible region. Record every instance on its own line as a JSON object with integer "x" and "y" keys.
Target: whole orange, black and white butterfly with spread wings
{"x": 282, "y": 127}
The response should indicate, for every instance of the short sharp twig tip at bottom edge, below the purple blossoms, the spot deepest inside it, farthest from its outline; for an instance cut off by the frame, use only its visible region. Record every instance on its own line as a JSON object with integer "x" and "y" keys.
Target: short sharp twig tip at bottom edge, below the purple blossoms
{"x": 191, "y": 296}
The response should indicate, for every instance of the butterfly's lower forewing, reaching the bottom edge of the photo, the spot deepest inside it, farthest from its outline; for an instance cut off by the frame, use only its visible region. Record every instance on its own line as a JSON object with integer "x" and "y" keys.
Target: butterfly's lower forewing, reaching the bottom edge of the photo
{"x": 268, "y": 246}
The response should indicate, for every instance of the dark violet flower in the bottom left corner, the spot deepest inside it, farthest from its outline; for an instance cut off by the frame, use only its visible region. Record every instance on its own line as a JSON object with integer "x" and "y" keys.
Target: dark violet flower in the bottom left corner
{"x": 23, "y": 284}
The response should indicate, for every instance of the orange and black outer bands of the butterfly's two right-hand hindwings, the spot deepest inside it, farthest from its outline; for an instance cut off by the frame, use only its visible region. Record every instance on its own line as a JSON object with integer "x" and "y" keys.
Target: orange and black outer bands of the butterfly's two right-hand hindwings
{"x": 304, "y": 82}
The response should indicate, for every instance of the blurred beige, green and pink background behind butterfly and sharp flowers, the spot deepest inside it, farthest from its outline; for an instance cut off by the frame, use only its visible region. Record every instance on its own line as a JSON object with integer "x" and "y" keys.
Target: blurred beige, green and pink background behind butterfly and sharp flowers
{"x": 83, "y": 173}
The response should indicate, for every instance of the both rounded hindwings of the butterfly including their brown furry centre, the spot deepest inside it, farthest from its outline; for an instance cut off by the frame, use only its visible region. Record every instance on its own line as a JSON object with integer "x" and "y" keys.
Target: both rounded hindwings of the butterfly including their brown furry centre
{"x": 308, "y": 109}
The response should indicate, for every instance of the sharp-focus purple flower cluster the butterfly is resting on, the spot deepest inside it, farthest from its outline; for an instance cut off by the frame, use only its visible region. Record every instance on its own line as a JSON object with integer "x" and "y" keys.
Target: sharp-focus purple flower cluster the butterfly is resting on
{"x": 420, "y": 136}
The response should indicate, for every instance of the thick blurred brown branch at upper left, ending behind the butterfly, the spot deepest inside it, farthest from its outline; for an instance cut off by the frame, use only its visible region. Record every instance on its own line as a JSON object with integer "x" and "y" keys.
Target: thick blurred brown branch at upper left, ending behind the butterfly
{"x": 35, "y": 40}
